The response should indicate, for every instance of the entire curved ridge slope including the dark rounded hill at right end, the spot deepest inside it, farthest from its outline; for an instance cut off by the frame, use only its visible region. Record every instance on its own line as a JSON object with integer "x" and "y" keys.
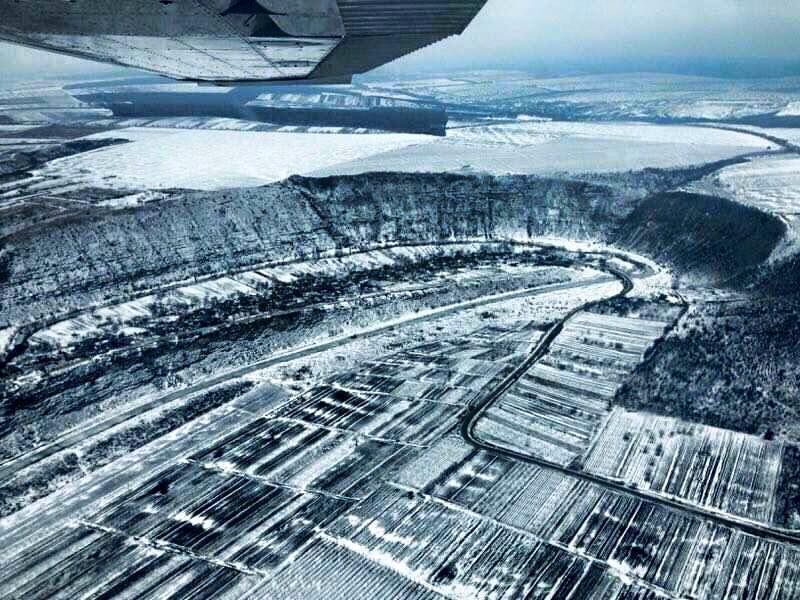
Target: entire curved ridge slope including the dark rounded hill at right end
{"x": 106, "y": 254}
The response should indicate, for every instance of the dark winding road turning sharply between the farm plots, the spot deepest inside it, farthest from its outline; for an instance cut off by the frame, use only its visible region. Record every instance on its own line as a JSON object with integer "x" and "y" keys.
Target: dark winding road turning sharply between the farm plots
{"x": 475, "y": 412}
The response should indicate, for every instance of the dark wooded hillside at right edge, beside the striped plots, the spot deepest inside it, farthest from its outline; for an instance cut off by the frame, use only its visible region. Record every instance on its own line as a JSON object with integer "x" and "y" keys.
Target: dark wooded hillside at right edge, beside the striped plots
{"x": 732, "y": 364}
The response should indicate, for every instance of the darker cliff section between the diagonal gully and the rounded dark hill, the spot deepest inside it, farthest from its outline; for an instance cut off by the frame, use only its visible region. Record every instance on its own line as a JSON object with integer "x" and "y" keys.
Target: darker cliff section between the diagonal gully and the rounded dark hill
{"x": 408, "y": 207}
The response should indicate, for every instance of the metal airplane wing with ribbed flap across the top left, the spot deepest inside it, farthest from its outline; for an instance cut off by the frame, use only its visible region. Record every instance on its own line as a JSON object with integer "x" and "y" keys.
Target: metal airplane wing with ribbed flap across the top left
{"x": 237, "y": 40}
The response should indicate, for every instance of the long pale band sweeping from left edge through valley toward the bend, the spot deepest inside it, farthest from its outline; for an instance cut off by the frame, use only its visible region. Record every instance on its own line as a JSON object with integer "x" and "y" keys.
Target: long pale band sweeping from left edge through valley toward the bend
{"x": 67, "y": 440}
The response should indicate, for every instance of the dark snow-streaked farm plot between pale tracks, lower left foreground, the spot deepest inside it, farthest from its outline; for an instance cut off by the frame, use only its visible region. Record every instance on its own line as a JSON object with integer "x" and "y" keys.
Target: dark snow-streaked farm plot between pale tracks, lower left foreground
{"x": 230, "y": 518}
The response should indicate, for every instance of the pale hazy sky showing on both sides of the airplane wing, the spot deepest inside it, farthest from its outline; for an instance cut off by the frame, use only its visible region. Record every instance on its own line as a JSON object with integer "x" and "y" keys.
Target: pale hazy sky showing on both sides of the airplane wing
{"x": 524, "y": 32}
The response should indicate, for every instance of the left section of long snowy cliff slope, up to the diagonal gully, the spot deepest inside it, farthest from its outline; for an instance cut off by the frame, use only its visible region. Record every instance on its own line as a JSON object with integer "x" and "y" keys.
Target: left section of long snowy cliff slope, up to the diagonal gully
{"x": 102, "y": 254}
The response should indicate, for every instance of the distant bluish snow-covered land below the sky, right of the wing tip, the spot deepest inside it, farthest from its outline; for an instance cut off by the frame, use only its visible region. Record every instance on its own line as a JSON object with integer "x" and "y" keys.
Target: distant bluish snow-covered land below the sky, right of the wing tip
{"x": 614, "y": 96}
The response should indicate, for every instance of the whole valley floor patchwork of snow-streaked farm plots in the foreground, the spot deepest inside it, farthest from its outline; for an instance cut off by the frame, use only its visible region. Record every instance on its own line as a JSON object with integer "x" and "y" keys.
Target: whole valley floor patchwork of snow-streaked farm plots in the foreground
{"x": 362, "y": 482}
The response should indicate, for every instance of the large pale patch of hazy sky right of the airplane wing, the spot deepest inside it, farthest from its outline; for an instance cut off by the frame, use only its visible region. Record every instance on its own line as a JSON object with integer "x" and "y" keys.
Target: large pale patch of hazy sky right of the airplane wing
{"x": 697, "y": 28}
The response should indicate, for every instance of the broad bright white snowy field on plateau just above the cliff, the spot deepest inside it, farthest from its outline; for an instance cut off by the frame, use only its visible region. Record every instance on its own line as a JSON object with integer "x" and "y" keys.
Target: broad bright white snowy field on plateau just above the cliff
{"x": 160, "y": 158}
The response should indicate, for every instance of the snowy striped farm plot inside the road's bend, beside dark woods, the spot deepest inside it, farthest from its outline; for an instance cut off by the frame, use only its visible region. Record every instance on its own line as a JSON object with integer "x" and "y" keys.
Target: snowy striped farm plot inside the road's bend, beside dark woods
{"x": 555, "y": 409}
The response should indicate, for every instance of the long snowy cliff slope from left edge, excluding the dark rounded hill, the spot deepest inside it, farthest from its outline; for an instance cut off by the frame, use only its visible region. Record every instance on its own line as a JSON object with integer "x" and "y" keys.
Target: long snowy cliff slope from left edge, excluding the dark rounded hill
{"x": 102, "y": 254}
